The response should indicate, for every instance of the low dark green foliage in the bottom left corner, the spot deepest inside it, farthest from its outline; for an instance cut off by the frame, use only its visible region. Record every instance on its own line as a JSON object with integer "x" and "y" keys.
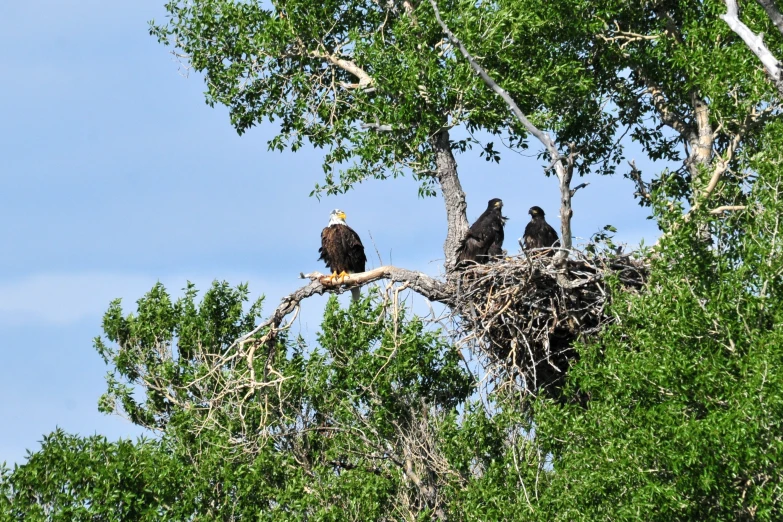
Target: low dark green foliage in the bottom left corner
{"x": 79, "y": 479}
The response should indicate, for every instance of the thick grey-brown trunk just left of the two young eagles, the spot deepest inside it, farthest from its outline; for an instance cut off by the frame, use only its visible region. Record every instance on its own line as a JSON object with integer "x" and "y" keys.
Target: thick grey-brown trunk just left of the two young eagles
{"x": 453, "y": 197}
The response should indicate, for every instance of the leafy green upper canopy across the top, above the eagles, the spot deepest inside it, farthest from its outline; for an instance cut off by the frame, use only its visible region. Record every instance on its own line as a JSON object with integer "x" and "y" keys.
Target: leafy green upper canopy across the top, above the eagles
{"x": 335, "y": 73}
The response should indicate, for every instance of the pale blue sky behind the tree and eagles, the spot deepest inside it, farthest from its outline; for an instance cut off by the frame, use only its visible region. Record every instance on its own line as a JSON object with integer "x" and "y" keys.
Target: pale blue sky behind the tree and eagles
{"x": 115, "y": 174}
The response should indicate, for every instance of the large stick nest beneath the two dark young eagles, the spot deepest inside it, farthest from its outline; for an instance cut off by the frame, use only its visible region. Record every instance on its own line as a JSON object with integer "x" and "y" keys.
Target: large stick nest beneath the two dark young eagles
{"x": 524, "y": 313}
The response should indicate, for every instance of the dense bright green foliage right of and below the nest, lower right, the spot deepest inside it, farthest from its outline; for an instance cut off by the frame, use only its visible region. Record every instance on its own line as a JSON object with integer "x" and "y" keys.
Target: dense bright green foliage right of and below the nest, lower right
{"x": 684, "y": 406}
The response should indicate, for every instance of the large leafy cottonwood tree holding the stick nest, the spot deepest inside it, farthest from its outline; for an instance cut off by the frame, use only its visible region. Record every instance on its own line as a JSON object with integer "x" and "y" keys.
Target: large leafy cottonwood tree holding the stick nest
{"x": 670, "y": 411}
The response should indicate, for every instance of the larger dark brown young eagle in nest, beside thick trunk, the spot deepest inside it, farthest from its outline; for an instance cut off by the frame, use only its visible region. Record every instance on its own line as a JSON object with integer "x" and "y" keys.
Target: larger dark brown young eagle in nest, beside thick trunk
{"x": 485, "y": 237}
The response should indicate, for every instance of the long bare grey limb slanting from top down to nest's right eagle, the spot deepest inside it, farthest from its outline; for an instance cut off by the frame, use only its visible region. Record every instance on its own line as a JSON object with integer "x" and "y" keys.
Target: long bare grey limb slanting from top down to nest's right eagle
{"x": 563, "y": 169}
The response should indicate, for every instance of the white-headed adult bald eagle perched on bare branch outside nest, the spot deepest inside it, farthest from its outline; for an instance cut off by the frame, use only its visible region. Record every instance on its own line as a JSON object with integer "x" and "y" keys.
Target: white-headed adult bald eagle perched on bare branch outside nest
{"x": 341, "y": 249}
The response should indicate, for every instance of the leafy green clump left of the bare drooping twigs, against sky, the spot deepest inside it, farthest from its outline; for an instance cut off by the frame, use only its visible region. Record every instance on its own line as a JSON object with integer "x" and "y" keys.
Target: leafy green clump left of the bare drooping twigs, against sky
{"x": 168, "y": 346}
